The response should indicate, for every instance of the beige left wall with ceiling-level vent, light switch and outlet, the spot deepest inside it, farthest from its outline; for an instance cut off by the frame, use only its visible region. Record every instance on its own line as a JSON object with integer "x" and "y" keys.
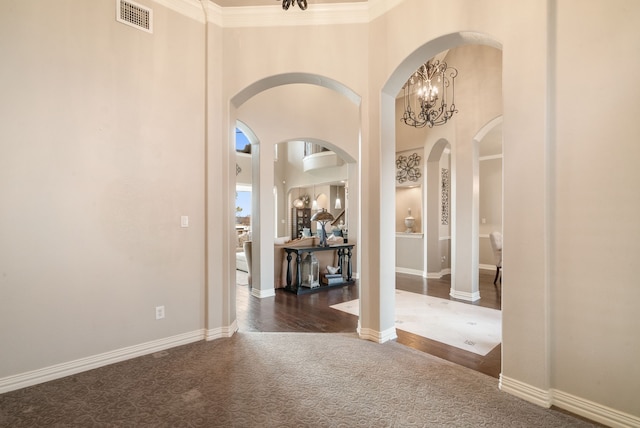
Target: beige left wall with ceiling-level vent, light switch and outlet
{"x": 101, "y": 153}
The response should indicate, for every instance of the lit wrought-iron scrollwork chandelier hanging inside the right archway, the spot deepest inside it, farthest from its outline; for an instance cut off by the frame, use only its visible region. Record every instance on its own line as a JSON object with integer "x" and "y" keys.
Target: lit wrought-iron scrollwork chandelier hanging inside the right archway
{"x": 426, "y": 95}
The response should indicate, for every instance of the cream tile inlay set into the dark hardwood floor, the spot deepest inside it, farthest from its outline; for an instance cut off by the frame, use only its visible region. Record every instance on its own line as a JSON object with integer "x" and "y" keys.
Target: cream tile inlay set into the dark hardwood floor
{"x": 472, "y": 328}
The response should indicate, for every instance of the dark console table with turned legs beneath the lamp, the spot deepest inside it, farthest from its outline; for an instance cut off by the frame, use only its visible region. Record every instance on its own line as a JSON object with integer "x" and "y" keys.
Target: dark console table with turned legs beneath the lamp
{"x": 344, "y": 260}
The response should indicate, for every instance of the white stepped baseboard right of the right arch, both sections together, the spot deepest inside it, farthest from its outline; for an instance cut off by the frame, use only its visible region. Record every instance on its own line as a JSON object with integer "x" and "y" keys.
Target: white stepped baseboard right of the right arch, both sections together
{"x": 579, "y": 406}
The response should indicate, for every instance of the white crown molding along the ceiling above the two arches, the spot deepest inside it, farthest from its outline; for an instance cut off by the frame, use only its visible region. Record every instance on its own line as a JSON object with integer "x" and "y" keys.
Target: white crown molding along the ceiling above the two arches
{"x": 274, "y": 16}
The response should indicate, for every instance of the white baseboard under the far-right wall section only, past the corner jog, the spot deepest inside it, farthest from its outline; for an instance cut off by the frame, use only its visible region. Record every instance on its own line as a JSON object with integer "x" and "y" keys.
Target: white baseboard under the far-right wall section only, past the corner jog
{"x": 594, "y": 411}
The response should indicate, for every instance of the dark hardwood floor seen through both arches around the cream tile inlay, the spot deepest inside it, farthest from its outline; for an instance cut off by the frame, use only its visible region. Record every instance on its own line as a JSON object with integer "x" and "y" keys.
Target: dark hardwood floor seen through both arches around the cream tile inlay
{"x": 312, "y": 313}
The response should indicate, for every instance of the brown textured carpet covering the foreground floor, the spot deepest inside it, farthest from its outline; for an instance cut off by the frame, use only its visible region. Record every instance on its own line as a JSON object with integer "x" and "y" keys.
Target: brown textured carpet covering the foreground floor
{"x": 277, "y": 380}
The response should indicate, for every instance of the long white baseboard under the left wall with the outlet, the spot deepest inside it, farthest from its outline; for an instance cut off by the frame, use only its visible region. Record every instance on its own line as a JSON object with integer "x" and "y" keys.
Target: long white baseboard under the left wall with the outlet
{"x": 58, "y": 371}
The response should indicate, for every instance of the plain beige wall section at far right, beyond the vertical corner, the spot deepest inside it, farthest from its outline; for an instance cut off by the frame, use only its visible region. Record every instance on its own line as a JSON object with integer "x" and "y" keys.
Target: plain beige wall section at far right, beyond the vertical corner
{"x": 596, "y": 233}
